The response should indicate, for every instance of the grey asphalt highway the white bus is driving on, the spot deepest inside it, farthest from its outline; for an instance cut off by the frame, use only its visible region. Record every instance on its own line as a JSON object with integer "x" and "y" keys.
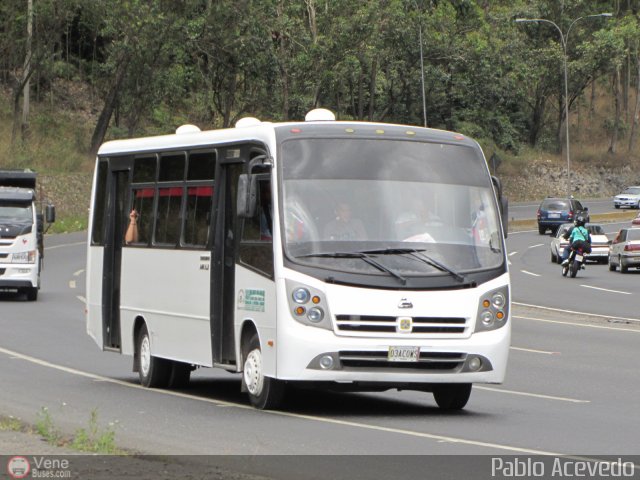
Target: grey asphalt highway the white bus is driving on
{"x": 571, "y": 388}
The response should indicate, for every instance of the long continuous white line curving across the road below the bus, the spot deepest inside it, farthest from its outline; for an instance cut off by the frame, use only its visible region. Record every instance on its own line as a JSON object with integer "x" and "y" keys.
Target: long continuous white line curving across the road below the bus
{"x": 411, "y": 433}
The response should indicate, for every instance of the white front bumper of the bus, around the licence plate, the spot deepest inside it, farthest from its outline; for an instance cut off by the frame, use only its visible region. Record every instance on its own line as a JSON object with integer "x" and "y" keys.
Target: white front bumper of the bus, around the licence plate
{"x": 325, "y": 357}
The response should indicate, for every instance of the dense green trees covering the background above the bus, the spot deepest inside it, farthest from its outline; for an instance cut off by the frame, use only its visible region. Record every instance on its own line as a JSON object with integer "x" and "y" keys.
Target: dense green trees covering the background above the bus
{"x": 101, "y": 70}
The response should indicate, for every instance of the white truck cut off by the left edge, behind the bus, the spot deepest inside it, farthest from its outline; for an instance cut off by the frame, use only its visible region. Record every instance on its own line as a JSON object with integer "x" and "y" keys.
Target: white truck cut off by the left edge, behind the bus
{"x": 21, "y": 233}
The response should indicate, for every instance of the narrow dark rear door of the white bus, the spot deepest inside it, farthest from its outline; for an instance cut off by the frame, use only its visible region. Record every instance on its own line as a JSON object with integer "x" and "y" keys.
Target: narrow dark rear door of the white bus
{"x": 117, "y": 191}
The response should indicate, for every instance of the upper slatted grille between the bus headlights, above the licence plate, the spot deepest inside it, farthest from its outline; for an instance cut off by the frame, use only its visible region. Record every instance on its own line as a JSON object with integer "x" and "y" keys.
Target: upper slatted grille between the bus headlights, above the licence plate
{"x": 367, "y": 324}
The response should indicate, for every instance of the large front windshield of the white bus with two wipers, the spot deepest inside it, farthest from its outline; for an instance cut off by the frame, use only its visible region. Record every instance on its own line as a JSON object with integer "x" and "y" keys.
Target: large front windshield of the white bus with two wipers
{"x": 347, "y": 200}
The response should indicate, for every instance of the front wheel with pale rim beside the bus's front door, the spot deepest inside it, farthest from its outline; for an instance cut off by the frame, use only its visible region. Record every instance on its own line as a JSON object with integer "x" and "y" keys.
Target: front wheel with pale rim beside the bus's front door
{"x": 265, "y": 393}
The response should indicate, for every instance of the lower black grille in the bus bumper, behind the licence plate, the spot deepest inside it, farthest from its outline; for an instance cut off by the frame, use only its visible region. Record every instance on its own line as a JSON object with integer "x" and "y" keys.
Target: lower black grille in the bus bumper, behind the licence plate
{"x": 428, "y": 361}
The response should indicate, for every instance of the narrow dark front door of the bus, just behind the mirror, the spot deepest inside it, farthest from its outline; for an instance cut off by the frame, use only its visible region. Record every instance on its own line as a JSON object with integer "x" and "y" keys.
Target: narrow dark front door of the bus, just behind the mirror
{"x": 224, "y": 254}
